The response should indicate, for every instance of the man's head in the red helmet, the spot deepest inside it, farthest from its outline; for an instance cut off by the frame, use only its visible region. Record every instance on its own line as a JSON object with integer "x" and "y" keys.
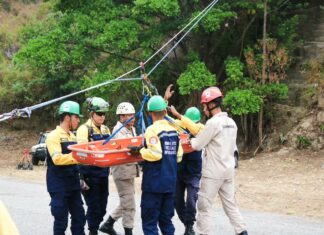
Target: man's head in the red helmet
{"x": 211, "y": 99}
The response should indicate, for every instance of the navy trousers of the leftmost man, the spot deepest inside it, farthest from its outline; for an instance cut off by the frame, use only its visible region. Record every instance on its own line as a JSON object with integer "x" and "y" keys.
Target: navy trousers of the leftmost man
{"x": 63, "y": 203}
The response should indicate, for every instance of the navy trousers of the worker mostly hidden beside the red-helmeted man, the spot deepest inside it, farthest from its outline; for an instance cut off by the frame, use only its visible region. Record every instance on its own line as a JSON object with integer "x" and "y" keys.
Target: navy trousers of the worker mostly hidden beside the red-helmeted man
{"x": 186, "y": 209}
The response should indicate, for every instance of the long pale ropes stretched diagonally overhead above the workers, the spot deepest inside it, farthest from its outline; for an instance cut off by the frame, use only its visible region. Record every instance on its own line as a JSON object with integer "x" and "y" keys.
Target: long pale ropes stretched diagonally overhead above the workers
{"x": 26, "y": 112}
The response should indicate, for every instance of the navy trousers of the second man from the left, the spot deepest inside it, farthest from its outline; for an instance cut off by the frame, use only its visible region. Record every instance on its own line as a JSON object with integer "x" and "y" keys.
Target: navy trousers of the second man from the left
{"x": 96, "y": 199}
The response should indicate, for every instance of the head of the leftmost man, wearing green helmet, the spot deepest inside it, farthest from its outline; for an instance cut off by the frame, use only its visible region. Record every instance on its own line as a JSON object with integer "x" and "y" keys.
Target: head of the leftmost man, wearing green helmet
{"x": 69, "y": 112}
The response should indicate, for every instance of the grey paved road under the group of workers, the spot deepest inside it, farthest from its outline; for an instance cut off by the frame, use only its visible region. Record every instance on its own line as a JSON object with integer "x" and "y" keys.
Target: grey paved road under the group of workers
{"x": 28, "y": 202}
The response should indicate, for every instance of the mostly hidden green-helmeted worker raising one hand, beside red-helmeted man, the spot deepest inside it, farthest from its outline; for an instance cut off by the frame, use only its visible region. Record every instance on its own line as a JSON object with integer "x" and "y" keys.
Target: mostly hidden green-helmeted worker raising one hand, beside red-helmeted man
{"x": 189, "y": 174}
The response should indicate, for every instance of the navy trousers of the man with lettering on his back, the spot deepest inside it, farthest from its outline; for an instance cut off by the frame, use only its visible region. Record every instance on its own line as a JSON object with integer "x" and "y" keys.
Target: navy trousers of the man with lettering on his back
{"x": 157, "y": 209}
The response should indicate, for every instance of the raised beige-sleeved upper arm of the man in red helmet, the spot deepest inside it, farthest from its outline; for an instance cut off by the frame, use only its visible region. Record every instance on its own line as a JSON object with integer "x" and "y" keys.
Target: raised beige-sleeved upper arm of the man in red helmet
{"x": 204, "y": 137}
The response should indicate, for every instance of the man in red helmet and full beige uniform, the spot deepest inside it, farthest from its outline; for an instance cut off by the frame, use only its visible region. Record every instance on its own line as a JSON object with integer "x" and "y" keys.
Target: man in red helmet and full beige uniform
{"x": 219, "y": 140}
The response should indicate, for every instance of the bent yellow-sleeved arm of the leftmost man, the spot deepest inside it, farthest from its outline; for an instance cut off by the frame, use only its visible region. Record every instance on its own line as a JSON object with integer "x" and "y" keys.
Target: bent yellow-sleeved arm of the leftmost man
{"x": 55, "y": 151}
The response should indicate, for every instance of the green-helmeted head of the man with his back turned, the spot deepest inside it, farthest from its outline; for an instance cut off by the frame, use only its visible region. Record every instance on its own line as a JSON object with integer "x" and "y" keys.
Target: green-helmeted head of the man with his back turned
{"x": 157, "y": 107}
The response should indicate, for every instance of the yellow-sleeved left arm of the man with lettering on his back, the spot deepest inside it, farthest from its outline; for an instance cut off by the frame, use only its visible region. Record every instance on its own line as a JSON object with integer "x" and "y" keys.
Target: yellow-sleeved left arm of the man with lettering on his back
{"x": 153, "y": 151}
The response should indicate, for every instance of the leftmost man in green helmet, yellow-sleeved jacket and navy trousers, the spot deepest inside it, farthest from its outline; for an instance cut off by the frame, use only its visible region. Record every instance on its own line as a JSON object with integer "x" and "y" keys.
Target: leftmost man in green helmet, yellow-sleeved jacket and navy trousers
{"x": 62, "y": 177}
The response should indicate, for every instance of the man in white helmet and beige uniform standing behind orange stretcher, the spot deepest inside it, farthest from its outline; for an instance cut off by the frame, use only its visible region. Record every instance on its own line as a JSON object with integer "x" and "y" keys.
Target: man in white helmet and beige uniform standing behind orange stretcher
{"x": 124, "y": 176}
